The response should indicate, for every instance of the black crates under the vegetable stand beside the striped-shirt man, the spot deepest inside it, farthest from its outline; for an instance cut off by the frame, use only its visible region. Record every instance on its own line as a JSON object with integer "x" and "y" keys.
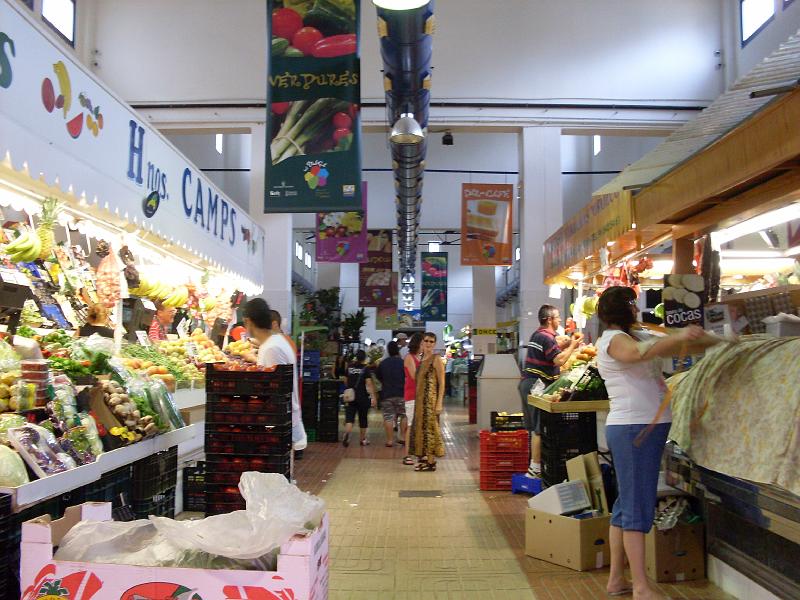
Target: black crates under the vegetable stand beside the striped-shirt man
{"x": 565, "y": 436}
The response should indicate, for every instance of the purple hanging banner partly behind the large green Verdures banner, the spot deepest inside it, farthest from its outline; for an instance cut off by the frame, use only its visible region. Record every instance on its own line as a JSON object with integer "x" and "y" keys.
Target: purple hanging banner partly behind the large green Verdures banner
{"x": 342, "y": 236}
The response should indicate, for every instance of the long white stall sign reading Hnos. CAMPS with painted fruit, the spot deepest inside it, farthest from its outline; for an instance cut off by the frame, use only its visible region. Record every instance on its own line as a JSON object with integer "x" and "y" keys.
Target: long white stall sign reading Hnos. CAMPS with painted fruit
{"x": 59, "y": 123}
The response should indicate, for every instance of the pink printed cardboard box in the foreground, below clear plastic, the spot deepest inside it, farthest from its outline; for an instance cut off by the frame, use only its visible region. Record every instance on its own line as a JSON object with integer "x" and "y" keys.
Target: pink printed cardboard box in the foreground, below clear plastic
{"x": 302, "y": 570}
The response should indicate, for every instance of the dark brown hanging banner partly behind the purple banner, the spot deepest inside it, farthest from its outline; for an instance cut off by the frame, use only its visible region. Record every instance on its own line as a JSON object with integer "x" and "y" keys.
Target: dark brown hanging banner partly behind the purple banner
{"x": 375, "y": 275}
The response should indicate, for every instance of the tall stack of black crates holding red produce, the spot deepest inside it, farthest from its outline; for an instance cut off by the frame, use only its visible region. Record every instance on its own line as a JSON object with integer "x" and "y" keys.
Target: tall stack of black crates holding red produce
{"x": 248, "y": 428}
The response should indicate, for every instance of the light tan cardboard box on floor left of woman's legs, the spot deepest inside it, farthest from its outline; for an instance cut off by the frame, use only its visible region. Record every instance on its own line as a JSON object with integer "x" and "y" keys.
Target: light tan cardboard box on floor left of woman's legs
{"x": 579, "y": 544}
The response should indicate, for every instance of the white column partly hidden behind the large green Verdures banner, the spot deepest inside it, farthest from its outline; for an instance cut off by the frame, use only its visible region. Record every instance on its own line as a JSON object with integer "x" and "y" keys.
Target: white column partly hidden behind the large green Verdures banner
{"x": 278, "y": 252}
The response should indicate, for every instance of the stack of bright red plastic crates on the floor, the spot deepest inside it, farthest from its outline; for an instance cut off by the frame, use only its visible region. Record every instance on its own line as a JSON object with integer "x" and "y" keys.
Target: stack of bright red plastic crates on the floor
{"x": 503, "y": 453}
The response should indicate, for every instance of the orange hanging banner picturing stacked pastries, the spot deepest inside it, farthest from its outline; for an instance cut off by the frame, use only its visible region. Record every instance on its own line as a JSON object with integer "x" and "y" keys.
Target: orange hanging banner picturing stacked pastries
{"x": 486, "y": 213}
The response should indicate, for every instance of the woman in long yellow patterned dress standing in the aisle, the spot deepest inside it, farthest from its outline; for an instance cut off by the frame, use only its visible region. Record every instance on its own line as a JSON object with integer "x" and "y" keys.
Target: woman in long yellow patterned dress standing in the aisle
{"x": 426, "y": 437}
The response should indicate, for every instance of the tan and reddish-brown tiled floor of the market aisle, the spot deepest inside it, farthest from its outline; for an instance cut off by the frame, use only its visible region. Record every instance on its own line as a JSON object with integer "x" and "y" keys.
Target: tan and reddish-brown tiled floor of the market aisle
{"x": 463, "y": 544}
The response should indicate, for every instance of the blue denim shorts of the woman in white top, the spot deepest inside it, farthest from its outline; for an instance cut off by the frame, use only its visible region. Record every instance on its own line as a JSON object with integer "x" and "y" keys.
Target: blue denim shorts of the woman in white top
{"x": 637, "y": 471}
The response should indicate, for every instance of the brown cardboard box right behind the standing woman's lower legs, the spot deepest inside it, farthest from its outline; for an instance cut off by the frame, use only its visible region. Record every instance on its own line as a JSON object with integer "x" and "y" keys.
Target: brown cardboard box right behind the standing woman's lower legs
{"x": 677, "y": 554}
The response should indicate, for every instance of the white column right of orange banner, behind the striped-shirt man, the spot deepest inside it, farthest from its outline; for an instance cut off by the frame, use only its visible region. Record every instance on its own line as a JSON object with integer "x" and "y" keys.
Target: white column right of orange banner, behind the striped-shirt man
{"x": 541, "y": 214}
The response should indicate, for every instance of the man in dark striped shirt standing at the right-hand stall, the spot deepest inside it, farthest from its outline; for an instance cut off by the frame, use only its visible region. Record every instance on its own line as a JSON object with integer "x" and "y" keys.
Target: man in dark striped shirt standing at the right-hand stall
{"x": 542, "y": 363}
